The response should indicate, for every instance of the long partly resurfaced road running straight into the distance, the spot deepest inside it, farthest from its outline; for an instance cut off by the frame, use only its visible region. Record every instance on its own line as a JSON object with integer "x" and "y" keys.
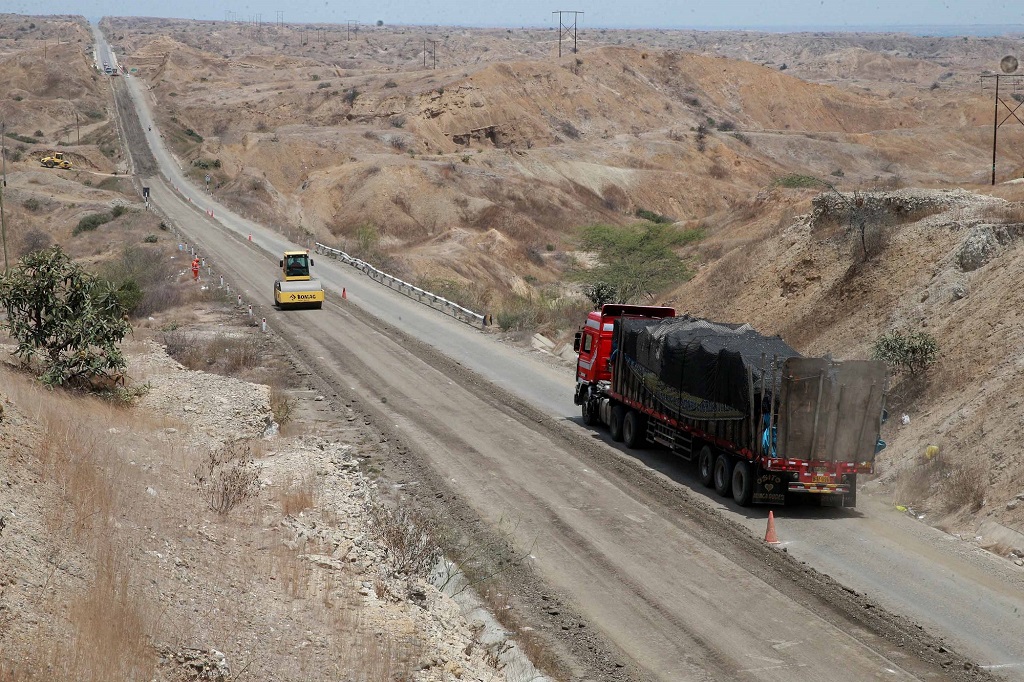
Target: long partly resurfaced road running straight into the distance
{"x": 668, "y": 580}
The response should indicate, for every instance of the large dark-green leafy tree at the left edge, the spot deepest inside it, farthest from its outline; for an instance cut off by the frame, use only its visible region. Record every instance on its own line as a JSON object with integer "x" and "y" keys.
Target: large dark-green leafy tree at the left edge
{"x": 67, "y": 319}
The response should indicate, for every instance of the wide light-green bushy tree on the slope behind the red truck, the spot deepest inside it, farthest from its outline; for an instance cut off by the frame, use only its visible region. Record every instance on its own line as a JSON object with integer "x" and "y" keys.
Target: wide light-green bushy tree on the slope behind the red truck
{"x": 636, "y": 262}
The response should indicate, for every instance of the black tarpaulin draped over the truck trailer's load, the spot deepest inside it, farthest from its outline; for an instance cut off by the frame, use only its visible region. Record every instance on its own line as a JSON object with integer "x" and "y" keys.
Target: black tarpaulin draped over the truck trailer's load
{"x": 698, "y": 368}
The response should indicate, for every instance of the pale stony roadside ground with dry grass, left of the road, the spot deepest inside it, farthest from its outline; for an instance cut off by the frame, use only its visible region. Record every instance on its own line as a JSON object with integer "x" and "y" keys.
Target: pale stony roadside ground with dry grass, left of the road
{"x": 118, "y": 568}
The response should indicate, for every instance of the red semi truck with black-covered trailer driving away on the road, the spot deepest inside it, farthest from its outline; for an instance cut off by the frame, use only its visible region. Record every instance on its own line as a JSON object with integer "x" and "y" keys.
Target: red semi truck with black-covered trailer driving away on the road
{"x": 762, "y": 423}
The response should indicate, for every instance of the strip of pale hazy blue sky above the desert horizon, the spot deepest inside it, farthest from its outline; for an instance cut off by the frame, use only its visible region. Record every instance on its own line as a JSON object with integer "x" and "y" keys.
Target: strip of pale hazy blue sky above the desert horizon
{"x": 599, "y": 14}
